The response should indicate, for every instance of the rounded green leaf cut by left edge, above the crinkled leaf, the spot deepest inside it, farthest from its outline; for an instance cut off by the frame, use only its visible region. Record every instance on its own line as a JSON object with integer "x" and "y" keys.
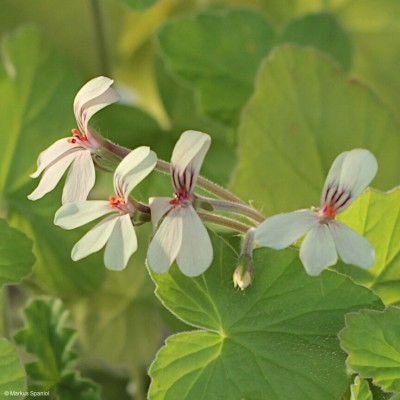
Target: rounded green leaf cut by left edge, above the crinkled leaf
{"x": 16, "y": 257}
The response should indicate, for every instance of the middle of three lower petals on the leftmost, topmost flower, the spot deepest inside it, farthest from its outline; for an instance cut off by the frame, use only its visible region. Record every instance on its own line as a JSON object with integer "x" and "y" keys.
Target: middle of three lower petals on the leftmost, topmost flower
{"x": 52, "y": 176}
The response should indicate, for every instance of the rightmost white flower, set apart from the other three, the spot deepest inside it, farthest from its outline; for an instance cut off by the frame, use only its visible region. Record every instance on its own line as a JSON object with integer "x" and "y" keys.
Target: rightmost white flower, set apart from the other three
{"x": 351, "y": 172}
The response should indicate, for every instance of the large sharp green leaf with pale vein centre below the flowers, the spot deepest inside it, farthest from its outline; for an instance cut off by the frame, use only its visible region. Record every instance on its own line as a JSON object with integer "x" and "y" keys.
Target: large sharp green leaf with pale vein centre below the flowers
{"x": 284, "y": 326}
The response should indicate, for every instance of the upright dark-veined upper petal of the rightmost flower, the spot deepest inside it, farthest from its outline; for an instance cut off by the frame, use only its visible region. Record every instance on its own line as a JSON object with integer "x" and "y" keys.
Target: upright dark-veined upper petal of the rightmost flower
{"x": 351, "y": 172}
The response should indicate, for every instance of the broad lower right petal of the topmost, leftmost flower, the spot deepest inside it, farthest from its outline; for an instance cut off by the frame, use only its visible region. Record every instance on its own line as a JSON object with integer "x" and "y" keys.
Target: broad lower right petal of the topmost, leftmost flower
{"x": 80, "y": 179}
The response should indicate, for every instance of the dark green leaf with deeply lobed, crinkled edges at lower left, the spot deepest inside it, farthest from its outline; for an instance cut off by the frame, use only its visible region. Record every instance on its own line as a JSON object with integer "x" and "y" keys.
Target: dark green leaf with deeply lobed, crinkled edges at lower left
{"x": 47, "y": 337}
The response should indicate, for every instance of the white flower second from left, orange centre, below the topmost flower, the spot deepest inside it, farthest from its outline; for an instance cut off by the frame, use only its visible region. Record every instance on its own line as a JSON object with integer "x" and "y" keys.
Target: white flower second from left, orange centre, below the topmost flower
{"x": 116, "y": 230}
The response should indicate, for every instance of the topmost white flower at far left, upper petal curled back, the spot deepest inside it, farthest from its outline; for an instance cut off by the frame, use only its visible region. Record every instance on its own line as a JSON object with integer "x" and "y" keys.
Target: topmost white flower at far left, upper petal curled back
{"x": 75, "y": 151}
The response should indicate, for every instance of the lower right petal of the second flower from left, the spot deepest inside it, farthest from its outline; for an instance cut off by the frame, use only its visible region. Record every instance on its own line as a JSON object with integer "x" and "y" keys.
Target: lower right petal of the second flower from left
{"x": 121, "y": 245}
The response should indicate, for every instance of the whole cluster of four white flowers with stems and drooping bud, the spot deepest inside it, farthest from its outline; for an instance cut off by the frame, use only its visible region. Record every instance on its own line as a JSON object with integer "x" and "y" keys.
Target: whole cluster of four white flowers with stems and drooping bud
{"x": 179, "y": 232}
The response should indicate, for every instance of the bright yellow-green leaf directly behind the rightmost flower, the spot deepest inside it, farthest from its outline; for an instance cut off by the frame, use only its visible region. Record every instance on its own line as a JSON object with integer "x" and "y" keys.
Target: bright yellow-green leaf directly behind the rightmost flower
{"x": 376, "y": 216}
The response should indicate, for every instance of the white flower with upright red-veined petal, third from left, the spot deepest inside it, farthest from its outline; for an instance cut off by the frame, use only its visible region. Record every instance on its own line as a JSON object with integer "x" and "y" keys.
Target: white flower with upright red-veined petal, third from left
{"x": 181, "y": 235}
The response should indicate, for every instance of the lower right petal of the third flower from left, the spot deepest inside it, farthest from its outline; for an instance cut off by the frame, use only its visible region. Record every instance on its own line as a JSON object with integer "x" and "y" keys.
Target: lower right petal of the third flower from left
{"x": 196, "y": 252}
